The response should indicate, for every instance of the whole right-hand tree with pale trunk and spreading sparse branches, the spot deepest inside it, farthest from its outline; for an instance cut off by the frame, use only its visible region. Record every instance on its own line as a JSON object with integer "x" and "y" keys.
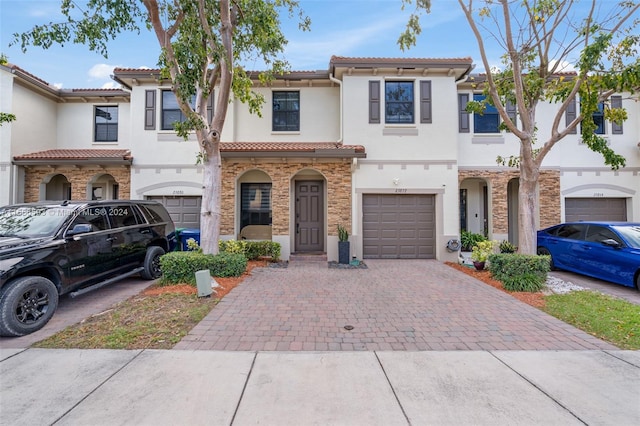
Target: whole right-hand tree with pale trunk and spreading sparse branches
{"x": 541, "y": 40}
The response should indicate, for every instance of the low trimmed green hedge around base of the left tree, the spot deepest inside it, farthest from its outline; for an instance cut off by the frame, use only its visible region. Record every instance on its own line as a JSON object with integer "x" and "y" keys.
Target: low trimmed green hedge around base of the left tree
{"x": 180, "y": 266}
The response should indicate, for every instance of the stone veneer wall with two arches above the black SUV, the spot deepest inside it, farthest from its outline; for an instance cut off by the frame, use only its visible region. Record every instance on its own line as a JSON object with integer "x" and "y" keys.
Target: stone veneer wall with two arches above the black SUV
{"x": 79, "y": 177}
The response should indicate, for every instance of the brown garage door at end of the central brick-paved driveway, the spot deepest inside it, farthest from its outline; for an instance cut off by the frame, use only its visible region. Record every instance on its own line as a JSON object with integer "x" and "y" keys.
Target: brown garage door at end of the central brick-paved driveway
{"x": 398, "y": 226}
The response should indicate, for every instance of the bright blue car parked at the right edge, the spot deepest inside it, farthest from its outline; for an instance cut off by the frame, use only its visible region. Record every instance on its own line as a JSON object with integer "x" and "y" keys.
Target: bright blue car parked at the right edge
{"x": 609, "y": 251}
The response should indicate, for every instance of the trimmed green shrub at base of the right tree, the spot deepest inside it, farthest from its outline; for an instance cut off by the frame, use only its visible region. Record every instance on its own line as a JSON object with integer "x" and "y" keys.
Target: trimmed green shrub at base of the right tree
{"x": 519, "y": 272}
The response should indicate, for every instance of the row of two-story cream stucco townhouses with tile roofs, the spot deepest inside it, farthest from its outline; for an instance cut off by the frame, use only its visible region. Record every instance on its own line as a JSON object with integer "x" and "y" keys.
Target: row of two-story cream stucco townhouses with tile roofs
{"x": 382, "y": 146}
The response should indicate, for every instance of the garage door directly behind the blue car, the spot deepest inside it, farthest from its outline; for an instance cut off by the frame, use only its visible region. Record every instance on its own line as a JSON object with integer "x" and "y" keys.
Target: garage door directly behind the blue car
{"x": 610, "y": 209}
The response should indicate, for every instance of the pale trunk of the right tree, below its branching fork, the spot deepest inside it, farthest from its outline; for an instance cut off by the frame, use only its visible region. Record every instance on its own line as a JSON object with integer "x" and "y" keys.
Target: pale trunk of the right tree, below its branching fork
{"x": 527, "y": 240}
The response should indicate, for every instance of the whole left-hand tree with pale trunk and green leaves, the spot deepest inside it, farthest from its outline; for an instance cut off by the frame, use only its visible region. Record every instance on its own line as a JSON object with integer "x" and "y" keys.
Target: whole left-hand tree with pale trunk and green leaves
{"x": 203, "y": 45}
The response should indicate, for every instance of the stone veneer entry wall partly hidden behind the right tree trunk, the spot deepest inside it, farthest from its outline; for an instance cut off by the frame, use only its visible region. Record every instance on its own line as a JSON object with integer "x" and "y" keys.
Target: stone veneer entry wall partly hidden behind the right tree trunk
{"x": 497, "y": 181}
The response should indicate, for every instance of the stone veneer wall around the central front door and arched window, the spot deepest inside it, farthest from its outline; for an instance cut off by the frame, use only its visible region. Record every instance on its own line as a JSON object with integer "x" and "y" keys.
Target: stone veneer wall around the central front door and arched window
{"x": 337, "y": 174}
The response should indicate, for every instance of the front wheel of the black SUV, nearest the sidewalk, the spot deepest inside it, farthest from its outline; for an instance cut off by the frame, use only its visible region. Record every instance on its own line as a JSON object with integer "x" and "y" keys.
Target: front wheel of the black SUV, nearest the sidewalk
{"x": 26, "y": 305}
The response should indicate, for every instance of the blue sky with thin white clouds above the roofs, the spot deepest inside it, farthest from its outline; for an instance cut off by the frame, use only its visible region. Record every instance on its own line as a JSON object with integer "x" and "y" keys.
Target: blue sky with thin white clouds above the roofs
{"x": 356, "y": 28}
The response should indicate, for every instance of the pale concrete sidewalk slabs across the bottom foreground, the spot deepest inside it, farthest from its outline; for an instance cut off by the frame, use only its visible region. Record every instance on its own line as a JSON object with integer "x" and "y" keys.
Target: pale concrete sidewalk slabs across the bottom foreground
{"x": 151, "y": 387}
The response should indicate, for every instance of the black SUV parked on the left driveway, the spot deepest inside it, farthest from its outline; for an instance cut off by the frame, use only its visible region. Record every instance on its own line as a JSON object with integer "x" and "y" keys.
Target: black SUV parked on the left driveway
{"x": 52, "y": 248}
